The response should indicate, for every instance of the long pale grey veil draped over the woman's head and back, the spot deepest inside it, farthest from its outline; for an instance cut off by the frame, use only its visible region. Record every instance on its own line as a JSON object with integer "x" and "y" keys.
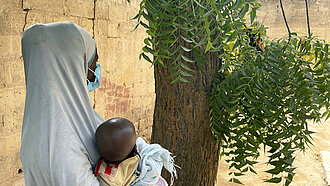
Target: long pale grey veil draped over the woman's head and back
{"x": 58, "y": 144}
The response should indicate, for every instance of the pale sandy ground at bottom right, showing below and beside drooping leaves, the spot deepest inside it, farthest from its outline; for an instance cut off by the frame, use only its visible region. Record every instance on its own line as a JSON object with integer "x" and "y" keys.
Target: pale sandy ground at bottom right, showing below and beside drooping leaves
{"x": 309, "y": 172}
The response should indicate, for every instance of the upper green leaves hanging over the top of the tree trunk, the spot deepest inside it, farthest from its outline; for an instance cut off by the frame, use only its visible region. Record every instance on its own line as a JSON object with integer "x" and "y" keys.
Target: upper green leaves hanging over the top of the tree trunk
{"x": 184, "y": 30}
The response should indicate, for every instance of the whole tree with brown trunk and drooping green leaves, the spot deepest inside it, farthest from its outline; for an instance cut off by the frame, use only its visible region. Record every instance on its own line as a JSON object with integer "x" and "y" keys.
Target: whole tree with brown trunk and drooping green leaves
{"x": 218, "y": 86}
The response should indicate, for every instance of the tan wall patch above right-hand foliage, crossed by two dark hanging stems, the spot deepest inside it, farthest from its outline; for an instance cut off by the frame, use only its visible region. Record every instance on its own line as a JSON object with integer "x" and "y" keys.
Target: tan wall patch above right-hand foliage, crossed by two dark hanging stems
{"x": 295, "y": 11}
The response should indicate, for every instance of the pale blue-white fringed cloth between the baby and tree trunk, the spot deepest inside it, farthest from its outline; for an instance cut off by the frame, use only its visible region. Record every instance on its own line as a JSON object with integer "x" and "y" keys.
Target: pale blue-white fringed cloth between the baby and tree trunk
{"x": 153, "y": 158}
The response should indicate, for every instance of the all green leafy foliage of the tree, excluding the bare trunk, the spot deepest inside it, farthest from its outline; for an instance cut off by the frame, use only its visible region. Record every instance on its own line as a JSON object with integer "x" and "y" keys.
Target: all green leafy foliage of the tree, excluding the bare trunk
{"x": 262, "y": 96}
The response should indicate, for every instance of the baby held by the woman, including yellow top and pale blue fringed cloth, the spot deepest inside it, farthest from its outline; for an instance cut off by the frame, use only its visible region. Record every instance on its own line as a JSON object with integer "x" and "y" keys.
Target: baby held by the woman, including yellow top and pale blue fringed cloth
{"x": 120, "y": 163}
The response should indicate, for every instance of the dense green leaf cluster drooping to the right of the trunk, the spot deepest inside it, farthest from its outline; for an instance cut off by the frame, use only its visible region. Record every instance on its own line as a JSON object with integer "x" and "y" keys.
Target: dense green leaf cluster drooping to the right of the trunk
{"x": 266, "y": 98}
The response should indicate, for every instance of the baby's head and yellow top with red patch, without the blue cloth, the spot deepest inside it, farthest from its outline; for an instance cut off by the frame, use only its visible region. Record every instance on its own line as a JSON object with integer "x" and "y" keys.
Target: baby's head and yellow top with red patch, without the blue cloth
{"x": 115, "y": 139}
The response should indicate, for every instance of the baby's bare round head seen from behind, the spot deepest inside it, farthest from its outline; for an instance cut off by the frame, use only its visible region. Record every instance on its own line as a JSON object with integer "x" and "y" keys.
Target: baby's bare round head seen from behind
{"x": 115, "y": 139}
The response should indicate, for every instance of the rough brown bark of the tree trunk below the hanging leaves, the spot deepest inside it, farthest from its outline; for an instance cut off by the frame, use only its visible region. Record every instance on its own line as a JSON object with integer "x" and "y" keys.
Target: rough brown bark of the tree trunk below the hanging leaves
{"x": 182, "y": 123}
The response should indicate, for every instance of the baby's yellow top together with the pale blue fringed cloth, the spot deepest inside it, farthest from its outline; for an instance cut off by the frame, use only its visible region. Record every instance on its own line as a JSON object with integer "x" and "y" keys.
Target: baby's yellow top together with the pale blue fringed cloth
{"x": 138, "y": 171}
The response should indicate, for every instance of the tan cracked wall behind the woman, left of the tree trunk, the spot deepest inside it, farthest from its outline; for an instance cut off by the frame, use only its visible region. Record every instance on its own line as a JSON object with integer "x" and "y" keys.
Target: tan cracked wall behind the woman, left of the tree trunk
{"x": 127, "y": 85}
